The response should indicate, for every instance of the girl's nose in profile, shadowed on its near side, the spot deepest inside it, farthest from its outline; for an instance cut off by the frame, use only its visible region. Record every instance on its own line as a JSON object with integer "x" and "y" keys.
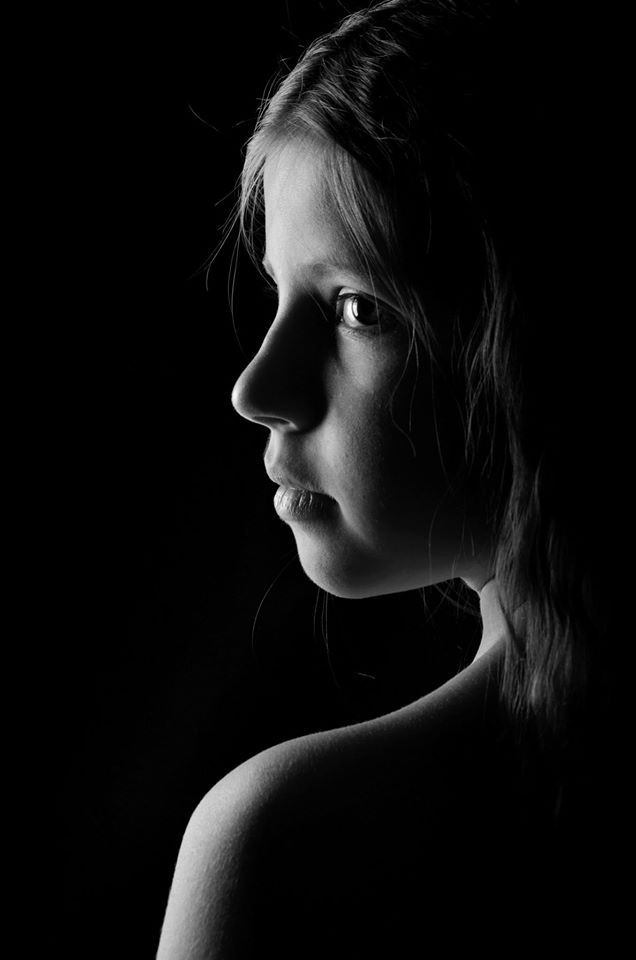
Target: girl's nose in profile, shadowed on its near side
{"x": 281, "y": 387}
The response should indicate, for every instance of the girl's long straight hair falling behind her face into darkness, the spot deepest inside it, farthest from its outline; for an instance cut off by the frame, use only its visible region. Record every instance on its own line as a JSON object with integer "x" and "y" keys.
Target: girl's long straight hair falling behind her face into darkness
{"x": 452, "y": 152}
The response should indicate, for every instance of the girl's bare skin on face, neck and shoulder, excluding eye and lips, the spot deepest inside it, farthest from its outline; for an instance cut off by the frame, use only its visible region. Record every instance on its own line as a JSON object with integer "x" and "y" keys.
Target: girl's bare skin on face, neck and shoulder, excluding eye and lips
{"x": 322, "y": 388}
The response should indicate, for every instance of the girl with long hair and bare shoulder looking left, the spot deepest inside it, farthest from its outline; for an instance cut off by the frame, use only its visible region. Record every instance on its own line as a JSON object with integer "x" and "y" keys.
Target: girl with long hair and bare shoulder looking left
{"x": 419, "y": 192}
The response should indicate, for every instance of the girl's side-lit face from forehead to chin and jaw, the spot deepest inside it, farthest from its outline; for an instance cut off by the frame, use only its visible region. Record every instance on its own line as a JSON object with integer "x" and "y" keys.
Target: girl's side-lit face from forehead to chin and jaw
{"x": 349, "y": 416}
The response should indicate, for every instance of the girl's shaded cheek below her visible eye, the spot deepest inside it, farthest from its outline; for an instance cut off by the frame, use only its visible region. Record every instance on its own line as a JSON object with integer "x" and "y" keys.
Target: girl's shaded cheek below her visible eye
{"x": 397, "y": 437}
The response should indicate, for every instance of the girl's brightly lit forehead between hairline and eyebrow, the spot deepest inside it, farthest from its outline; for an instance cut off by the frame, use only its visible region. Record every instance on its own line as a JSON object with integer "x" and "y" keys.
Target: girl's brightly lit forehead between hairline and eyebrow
{"x": 301, "y": 215}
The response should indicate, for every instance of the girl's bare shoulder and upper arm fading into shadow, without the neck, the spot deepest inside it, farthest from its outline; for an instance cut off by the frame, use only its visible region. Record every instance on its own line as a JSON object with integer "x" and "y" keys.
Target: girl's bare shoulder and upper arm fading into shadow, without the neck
{"x": 319, "y": 825}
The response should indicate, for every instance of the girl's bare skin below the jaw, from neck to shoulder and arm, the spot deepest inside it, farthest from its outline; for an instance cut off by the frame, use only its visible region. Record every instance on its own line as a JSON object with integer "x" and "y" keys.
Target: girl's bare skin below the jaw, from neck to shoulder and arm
{"x": 230, "y": 864}
